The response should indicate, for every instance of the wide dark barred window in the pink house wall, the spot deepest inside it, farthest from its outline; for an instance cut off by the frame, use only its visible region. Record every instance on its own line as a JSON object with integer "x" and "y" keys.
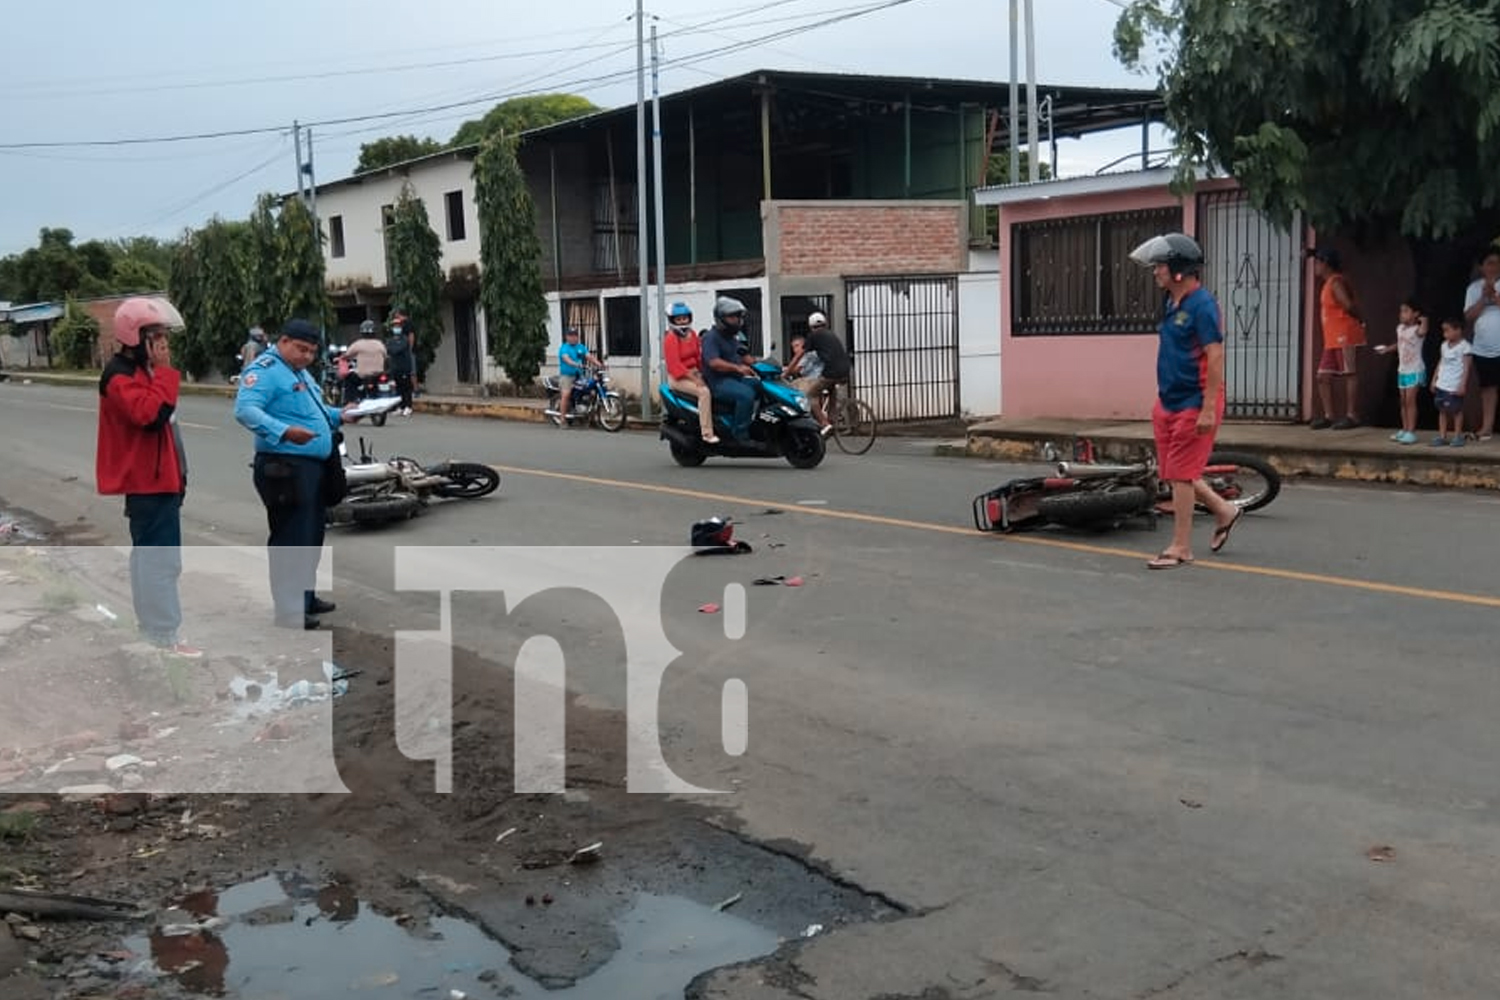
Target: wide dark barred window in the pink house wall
{"x": 1075, "y": 275}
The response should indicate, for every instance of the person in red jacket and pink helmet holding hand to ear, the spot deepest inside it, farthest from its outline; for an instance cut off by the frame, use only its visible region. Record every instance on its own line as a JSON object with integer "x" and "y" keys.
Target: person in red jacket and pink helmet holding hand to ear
{"x": 142, "y": 458}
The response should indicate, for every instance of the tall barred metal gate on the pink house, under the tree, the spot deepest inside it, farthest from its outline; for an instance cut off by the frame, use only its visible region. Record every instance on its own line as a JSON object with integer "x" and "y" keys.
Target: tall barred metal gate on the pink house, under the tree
{"x": 1256, "y": 274}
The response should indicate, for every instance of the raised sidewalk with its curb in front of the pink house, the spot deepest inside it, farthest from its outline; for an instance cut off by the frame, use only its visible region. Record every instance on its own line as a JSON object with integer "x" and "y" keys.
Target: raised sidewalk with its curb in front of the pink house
{"x": 1363, "y": 455}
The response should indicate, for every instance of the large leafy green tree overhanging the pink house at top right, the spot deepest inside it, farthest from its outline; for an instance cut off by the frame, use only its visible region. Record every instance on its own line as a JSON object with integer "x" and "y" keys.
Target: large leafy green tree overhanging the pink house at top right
{"x": 1379, "y": 115}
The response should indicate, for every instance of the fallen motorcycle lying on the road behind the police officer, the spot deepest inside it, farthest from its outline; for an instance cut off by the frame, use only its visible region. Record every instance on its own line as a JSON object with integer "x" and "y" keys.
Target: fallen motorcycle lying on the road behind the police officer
{"x": 401, "y": 488}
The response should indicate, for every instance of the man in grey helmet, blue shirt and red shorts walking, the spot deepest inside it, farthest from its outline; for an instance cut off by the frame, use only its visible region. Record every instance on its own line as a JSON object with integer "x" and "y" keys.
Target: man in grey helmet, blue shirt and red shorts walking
{"x": 1190, "y": 392}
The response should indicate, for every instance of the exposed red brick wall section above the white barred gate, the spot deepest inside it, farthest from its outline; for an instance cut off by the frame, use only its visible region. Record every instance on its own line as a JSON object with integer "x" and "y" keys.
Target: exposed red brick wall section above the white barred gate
{"x": 869, "y": 239}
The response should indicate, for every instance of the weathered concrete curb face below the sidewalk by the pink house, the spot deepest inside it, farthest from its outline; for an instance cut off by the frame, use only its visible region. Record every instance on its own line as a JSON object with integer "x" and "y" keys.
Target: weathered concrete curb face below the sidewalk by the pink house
{"x": 1355, "y": 463}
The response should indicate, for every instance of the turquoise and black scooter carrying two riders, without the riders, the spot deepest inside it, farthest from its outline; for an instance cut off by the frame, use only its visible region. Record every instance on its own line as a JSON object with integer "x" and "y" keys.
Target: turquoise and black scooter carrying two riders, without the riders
{"x": 782, "y": 427}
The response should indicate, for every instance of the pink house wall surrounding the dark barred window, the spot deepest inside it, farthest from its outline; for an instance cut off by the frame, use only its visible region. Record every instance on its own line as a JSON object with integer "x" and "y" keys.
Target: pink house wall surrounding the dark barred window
{"x": 1088, "y": 377}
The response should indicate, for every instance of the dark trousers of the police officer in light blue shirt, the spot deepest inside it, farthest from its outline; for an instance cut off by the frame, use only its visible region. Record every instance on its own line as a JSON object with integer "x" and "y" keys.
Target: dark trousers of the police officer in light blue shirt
{"x": 292, "y": 490}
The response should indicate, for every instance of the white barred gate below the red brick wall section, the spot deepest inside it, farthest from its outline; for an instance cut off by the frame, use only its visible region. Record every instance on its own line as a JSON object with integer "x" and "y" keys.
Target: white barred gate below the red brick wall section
{"x": 904, "y": 338}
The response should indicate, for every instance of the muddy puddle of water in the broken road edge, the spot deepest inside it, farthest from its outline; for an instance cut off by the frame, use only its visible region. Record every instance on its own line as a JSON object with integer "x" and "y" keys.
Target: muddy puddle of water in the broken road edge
{"x": 293, "y": 941}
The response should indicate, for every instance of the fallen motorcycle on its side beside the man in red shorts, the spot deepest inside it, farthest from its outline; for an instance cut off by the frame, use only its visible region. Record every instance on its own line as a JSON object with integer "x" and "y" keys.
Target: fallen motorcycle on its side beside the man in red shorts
{"x": 1093, "y": 496}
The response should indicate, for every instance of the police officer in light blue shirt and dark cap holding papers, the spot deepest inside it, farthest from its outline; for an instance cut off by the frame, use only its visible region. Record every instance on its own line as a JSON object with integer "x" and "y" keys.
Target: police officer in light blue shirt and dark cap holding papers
{"x": 293, "y": 428}
